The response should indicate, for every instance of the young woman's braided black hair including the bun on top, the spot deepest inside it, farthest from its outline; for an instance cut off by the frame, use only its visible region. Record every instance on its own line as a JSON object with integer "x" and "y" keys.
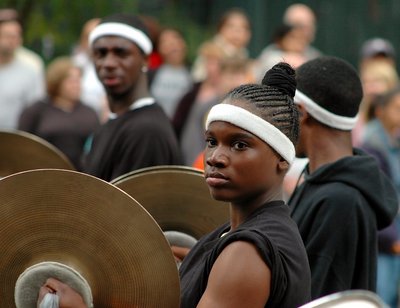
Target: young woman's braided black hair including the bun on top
{"x": 273, "y": 99}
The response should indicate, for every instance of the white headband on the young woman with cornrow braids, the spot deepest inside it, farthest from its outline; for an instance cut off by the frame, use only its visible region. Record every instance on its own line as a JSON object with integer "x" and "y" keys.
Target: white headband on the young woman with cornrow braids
{"x": 255, "y": 125}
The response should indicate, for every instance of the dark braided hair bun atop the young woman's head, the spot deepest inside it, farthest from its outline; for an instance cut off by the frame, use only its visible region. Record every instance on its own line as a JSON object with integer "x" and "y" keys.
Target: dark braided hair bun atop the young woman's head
{"x": 282, "y": 77}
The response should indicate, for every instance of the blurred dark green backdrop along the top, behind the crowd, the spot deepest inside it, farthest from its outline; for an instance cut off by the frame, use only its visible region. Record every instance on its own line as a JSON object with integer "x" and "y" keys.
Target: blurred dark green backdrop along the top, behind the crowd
{"x": 342, "y": 25}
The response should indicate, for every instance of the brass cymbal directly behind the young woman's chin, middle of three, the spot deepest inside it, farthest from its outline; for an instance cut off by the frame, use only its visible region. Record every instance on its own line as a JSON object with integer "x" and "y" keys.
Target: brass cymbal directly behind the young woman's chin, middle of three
{"x": 177, "y": 197}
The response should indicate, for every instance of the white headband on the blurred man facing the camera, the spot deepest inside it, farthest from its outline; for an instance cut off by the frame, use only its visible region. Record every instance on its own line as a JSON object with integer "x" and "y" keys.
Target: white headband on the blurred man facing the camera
{"x": 114, "y": 28}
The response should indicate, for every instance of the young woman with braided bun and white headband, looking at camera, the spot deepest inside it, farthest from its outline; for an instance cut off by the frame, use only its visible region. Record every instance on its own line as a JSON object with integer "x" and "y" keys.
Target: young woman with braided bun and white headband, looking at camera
{"x": 257, "y": 259}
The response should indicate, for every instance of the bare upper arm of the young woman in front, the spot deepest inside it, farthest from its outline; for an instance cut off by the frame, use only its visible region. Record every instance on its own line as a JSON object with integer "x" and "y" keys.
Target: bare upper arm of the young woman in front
{"x": 238, "y": 278}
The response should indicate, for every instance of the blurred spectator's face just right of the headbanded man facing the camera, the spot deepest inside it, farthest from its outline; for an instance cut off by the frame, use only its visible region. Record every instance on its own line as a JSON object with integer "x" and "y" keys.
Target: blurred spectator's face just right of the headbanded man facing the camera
{"x": 172, "y": 47}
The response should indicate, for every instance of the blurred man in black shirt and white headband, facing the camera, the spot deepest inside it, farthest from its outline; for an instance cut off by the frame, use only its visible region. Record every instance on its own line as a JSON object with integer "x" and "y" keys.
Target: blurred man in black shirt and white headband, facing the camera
{"x": 138, "y": 134}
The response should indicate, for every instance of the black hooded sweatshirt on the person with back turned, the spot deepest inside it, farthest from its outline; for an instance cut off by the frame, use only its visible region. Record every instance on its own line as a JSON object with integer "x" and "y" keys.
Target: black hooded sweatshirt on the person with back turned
{"x": 339, "y": 209}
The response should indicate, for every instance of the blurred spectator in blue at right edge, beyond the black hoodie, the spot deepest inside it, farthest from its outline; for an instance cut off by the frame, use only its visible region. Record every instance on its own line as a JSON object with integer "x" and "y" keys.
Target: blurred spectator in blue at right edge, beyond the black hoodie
{"x": 382, "y": 140}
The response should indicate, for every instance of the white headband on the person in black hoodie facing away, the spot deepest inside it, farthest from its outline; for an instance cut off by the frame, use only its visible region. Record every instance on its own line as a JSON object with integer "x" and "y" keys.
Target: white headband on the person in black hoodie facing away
{"x": 324, "y": 116}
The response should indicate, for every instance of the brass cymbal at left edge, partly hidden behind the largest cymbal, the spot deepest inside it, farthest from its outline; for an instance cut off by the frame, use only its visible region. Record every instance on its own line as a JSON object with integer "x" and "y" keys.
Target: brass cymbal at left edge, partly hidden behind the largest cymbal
{"x": 21, "y": 151}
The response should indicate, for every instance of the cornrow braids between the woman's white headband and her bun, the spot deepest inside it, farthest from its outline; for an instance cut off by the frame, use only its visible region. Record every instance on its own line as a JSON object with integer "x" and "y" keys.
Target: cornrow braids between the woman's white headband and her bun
{"x": 272, "y": 105}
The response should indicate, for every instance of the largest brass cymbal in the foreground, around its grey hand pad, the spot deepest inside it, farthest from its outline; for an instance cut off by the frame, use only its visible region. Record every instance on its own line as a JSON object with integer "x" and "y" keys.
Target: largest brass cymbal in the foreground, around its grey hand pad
{"x": 90, "y": 225}
